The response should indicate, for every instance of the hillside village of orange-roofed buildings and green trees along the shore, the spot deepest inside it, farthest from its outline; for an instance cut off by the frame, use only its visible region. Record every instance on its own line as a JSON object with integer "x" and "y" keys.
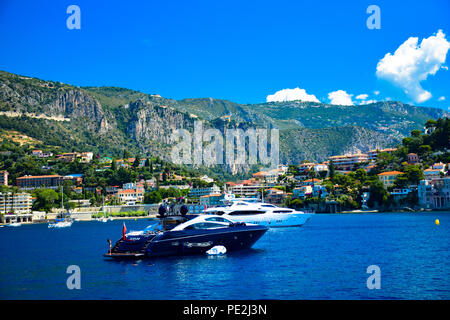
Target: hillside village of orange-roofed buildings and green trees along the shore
{"x": 413, "y": 176}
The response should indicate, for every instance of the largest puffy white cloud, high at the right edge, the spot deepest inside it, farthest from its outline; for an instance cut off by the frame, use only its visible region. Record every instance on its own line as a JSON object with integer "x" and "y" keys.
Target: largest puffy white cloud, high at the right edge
{"x": 412, "y": 63}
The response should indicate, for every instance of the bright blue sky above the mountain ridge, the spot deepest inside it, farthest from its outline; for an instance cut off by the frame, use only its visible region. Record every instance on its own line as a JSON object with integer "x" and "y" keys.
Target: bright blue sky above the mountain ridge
{"x": 241, "y": 51}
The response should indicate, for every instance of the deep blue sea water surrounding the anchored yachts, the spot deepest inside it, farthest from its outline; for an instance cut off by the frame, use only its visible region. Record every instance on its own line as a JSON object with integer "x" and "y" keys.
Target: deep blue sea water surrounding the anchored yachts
{"x": 325, "y": 259}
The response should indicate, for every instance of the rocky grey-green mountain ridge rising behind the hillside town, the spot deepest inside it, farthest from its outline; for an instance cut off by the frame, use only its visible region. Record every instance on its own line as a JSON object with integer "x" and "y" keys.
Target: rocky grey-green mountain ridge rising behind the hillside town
{"x": 110, "y": 119}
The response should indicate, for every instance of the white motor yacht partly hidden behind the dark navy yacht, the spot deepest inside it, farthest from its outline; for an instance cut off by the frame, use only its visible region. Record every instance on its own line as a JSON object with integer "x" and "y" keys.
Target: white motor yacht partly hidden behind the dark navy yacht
{"x": 260, "y": 213}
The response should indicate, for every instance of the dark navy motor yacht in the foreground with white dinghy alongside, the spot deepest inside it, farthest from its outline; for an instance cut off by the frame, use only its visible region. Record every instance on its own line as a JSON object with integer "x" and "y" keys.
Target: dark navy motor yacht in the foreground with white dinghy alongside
{"x": 194, "y": 236}
